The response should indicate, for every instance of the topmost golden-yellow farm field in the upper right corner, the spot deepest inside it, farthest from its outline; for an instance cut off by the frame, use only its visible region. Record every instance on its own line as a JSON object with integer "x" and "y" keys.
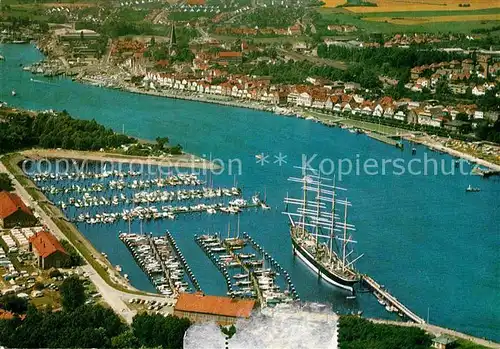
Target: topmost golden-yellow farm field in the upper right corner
{"x": 418, "y": 5}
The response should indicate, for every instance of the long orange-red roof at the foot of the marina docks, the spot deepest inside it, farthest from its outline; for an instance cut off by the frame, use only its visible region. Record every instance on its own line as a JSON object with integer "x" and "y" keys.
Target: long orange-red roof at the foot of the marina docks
{"x": 199, "y": 303}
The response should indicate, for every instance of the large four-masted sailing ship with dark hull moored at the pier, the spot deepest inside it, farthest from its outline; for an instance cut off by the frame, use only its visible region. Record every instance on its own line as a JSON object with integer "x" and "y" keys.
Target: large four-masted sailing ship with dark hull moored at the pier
{"x": 321, "y": 236}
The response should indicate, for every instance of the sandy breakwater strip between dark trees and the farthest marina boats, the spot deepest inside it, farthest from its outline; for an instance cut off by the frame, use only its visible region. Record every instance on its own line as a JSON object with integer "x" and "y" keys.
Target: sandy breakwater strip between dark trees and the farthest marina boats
{"x": 178, "y": 161}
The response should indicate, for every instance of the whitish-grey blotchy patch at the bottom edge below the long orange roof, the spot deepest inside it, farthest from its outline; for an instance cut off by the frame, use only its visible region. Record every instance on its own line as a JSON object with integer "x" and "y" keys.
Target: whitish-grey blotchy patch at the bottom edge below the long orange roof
{"x": 285, "y": 326}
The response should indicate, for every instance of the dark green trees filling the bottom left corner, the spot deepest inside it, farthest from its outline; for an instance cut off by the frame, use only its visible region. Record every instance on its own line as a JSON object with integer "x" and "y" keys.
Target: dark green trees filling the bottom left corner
{"x": 88, "y": 326}
